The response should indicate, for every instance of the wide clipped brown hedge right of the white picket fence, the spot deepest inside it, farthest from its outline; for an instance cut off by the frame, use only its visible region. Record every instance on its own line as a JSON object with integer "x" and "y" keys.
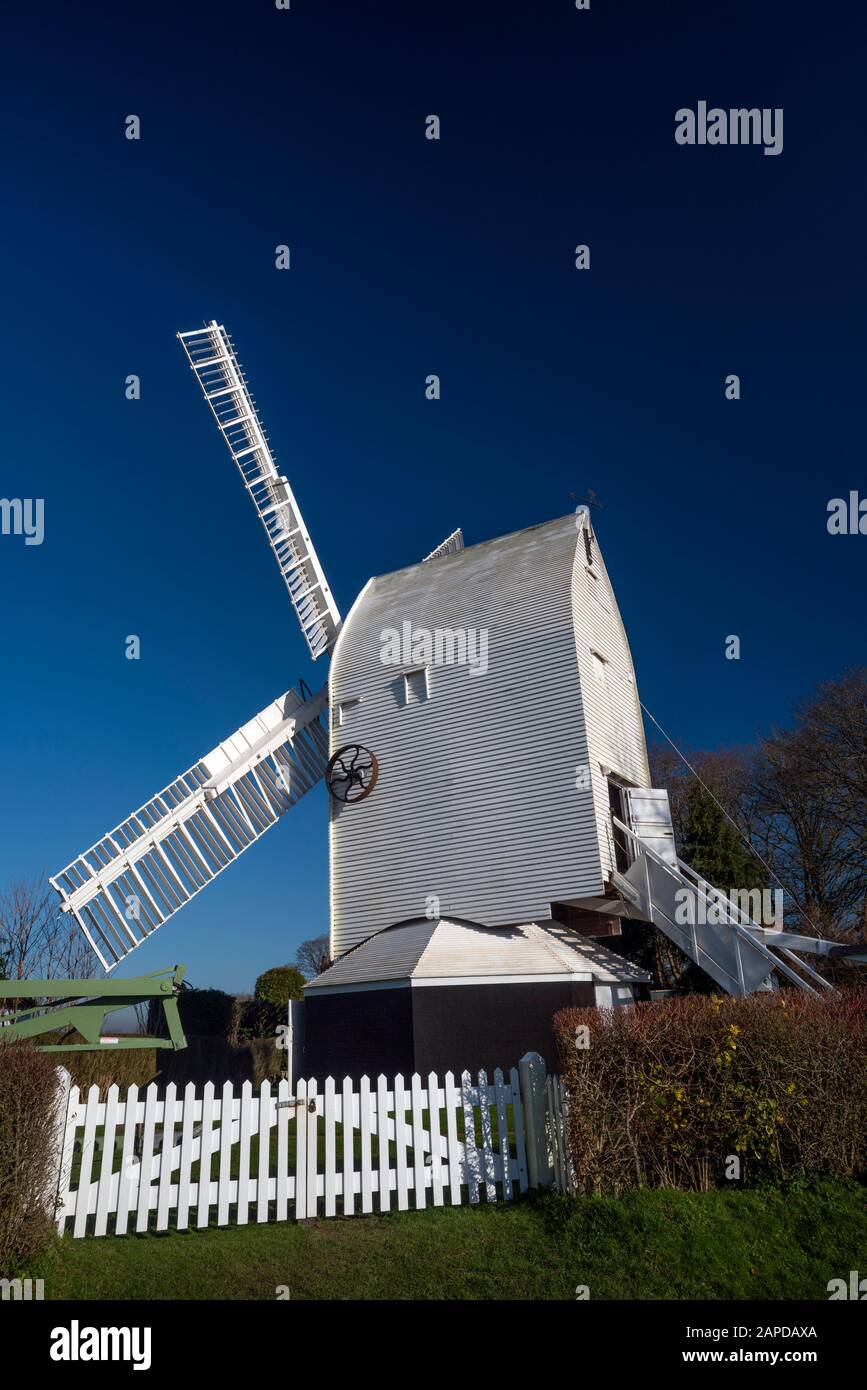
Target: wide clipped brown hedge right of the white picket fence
{"x": 668, "y": 1093}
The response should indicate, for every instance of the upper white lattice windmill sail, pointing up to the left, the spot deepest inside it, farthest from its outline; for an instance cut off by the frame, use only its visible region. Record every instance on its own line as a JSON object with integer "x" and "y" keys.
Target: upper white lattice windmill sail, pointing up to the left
{"x": 213, "y": 359}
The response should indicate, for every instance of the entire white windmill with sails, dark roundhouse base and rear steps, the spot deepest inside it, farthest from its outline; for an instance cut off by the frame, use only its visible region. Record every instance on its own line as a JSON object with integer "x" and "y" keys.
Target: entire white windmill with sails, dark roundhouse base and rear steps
{"x": 491, "y": 812}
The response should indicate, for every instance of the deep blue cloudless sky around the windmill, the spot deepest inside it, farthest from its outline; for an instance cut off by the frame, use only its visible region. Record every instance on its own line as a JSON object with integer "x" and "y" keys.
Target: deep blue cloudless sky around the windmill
{"x": 411, "y": 258}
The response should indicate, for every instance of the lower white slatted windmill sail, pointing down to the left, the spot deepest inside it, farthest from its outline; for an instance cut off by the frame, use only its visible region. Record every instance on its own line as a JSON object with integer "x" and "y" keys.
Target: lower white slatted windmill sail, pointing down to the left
{"x": 140, "y": 875}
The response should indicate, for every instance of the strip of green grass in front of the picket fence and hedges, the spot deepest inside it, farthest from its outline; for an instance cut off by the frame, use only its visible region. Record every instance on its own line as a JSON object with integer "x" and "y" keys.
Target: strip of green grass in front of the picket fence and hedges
{"x": 648, "y": 1245}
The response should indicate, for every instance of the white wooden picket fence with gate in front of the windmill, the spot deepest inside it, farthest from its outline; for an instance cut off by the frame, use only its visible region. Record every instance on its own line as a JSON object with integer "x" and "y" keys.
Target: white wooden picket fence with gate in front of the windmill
{"x": 188, "y": 1160}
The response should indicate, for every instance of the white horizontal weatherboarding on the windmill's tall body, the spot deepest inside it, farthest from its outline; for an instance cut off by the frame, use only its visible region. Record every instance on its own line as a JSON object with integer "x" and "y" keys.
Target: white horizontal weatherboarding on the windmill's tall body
{"x": 477, "y": 800}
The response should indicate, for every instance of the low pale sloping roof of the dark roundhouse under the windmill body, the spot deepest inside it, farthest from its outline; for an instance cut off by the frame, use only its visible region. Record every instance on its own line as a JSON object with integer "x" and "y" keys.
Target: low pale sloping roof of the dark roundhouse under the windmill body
{"x": 449, "y": 949}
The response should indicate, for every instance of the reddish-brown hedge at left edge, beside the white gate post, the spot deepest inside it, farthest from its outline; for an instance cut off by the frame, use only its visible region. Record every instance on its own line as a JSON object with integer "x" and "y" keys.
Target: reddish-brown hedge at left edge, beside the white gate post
{"x": 28, "y": 1134}
